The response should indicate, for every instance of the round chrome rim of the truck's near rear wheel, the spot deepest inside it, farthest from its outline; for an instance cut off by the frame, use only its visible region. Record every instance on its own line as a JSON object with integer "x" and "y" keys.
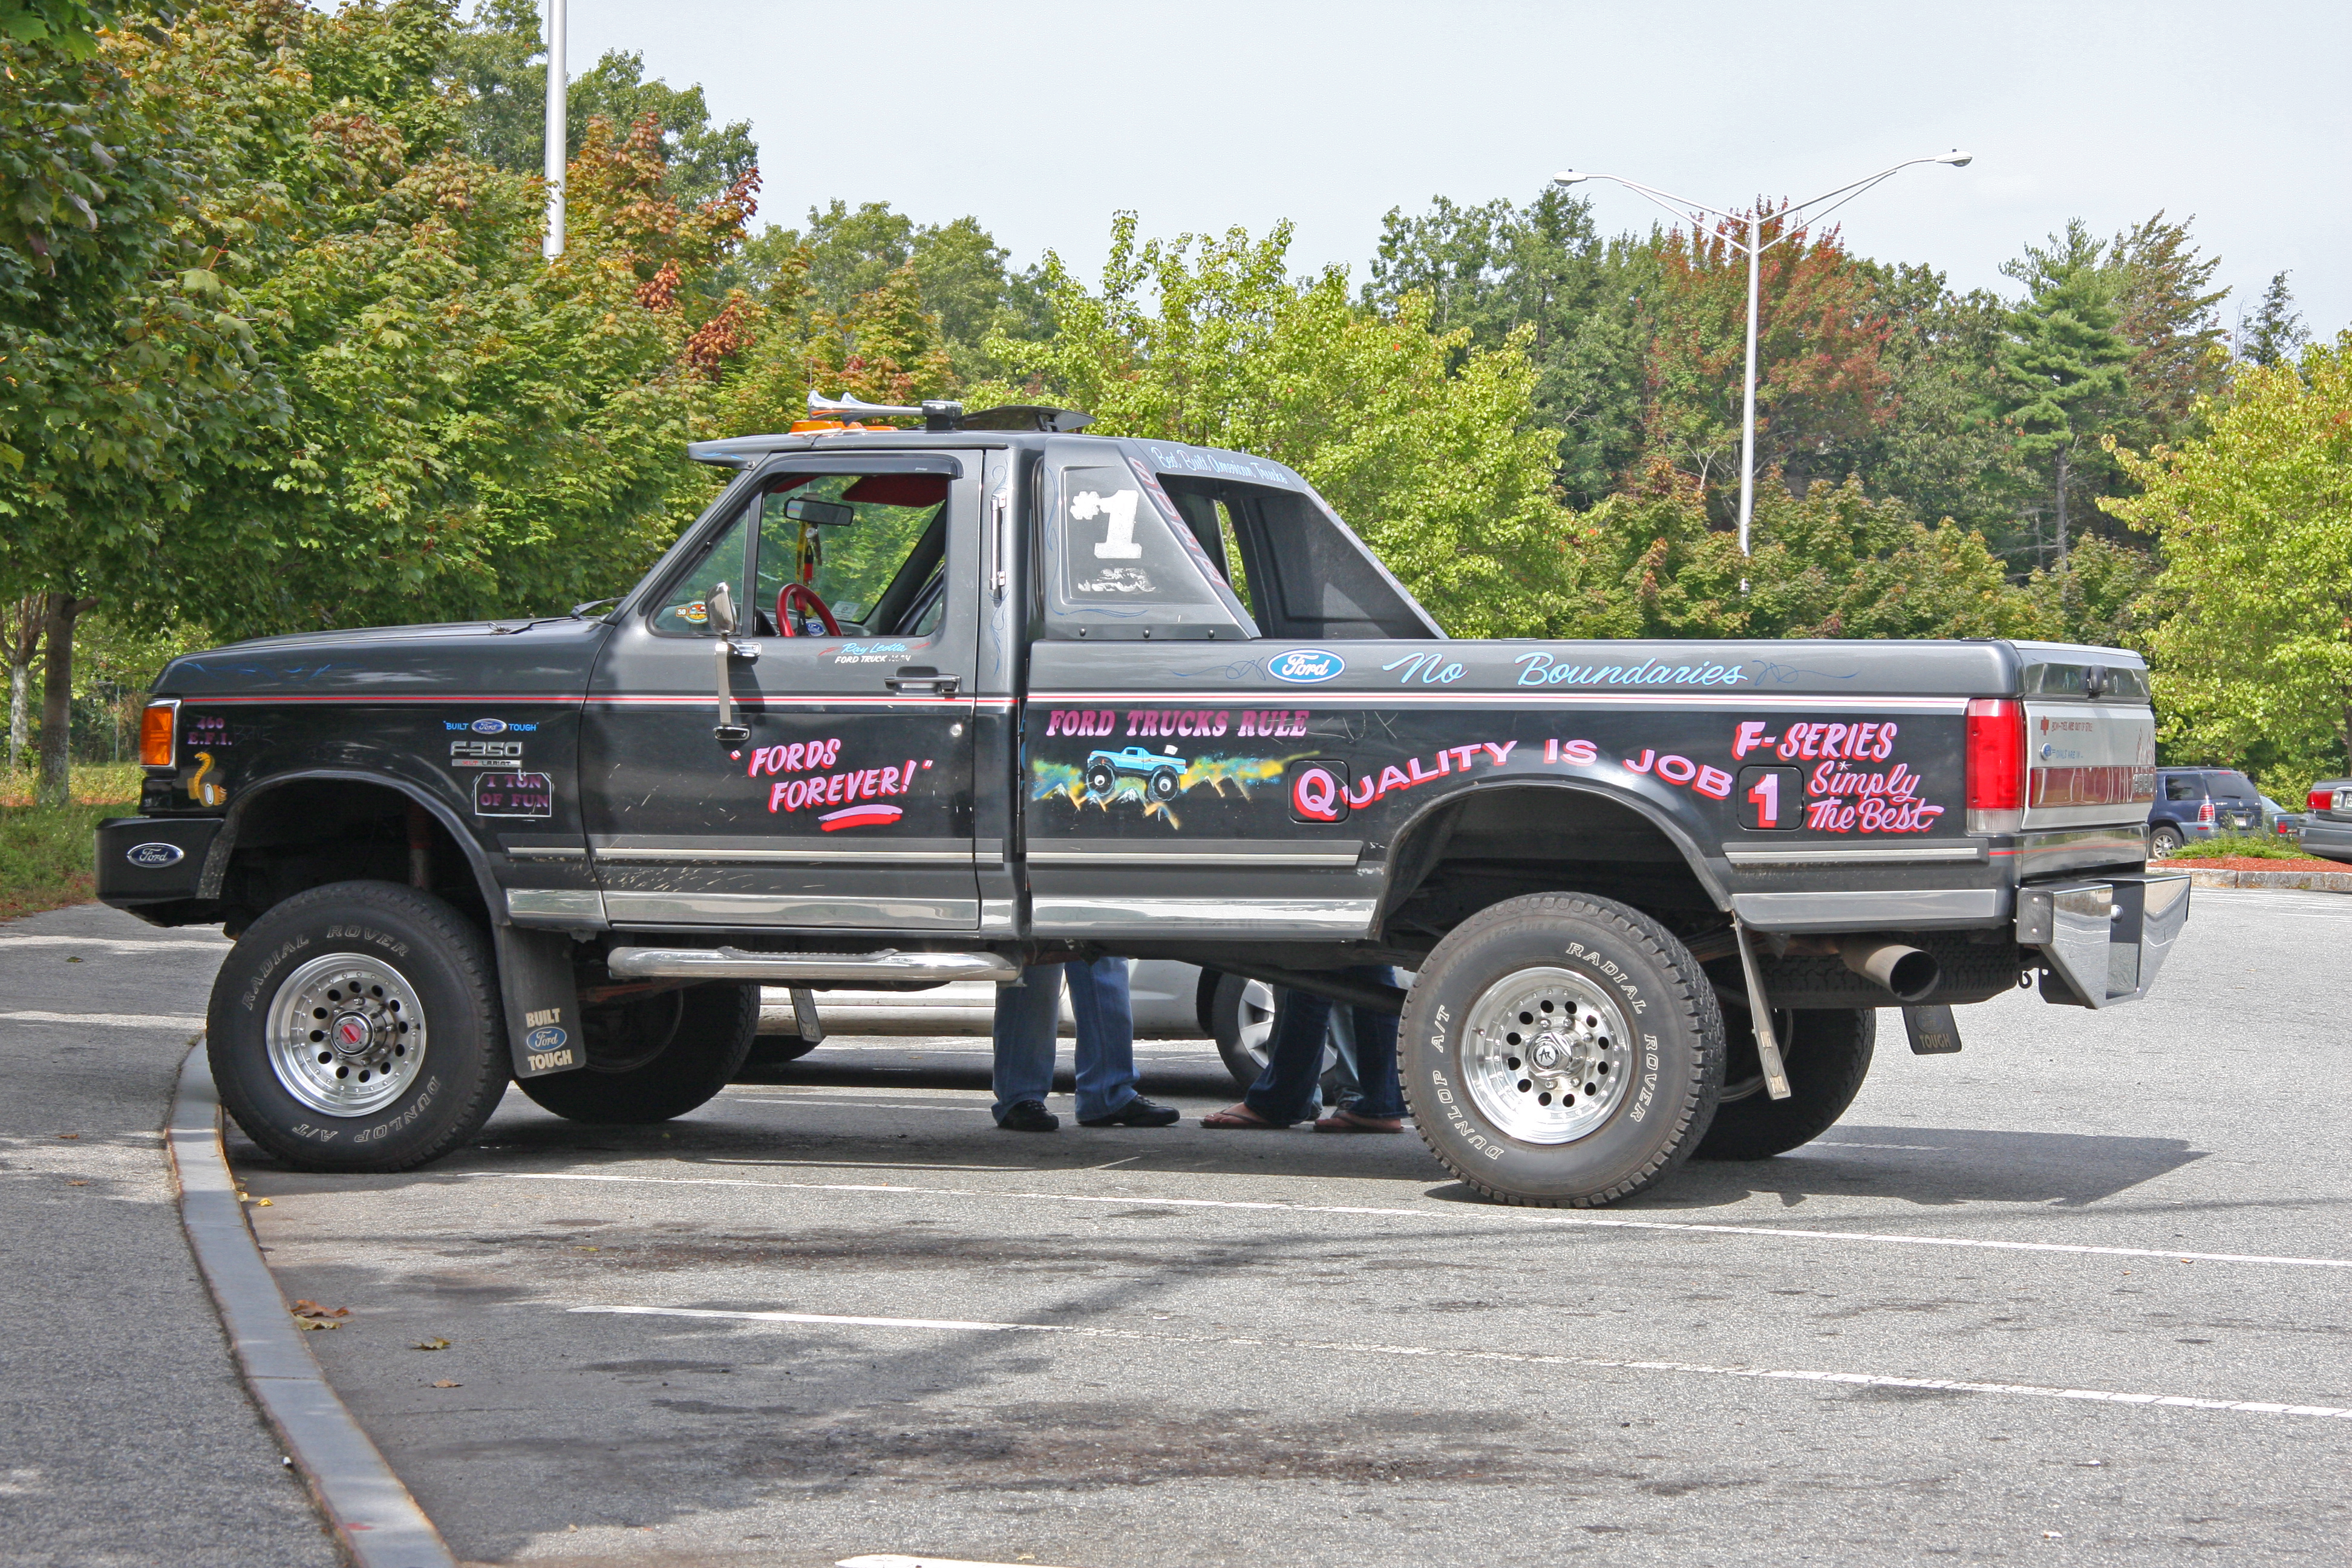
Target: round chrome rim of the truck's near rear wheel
{"x": 1546, "y": 1057}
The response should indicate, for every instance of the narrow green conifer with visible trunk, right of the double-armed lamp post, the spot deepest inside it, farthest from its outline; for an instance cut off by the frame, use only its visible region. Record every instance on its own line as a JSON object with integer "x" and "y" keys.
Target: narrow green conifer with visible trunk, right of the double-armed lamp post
{"x": 2064, "y": 363}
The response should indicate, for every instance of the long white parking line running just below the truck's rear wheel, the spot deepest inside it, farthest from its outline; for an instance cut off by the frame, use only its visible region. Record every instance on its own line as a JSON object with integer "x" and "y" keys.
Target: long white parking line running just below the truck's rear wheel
{"x": 1130, "y": 1200}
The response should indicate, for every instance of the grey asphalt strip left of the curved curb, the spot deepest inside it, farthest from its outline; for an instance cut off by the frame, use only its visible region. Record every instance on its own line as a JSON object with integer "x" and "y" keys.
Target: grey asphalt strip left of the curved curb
{"x": 126, "y": 1435}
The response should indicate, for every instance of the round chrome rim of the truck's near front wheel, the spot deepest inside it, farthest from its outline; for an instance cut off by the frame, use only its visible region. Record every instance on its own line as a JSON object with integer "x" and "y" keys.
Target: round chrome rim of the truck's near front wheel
{"x": 347, "y": 1036}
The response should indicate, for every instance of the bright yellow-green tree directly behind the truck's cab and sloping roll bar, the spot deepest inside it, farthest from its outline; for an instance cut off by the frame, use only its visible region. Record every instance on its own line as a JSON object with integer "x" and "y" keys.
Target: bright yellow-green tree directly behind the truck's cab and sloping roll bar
{"x": 1424, "y": 443}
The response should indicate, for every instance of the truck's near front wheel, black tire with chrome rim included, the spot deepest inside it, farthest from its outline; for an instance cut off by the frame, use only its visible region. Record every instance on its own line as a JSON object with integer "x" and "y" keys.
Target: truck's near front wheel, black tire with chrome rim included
{"x": 359, "y": 1028}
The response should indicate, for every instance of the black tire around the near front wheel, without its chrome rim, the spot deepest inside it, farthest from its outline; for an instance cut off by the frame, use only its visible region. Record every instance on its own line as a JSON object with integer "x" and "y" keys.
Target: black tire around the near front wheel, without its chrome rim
{"x": 446, "y": 963}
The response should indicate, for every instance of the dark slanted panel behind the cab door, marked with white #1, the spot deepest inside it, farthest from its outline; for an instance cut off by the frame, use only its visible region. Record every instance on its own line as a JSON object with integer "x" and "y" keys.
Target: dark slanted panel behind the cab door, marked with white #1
{"x": 1114, "y": 556}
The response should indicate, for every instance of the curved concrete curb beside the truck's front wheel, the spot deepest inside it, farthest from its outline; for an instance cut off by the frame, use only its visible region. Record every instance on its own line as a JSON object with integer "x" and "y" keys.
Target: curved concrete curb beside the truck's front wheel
{"x": 370, "y": 1510}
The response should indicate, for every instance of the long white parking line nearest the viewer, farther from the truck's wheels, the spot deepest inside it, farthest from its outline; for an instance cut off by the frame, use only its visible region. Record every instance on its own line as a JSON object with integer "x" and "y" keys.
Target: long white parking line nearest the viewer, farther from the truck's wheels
{"x": 1438, "y": 1353}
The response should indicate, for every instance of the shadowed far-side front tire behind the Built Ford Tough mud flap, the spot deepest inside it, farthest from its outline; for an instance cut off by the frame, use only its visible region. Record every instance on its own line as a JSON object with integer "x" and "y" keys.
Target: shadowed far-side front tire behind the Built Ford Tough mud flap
{"x": 655, "y": 1059}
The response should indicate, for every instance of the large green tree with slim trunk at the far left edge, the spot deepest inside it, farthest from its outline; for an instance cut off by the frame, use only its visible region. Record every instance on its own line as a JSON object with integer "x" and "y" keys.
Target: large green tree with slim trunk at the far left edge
{"x": 126, "y": 330}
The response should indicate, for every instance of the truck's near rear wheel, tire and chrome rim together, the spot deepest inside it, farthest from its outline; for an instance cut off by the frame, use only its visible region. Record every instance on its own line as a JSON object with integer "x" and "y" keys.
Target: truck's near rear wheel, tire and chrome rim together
{"x": 1563, "y": 1050}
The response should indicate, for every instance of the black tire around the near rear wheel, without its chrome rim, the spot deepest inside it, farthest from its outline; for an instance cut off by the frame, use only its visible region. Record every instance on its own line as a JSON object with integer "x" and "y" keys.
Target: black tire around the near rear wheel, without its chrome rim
{"x": 1676, "y": 1043}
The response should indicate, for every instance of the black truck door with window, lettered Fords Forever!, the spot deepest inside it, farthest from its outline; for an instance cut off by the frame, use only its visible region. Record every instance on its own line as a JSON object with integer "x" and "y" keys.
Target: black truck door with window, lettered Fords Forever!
{"x": 848, "y": 805}
